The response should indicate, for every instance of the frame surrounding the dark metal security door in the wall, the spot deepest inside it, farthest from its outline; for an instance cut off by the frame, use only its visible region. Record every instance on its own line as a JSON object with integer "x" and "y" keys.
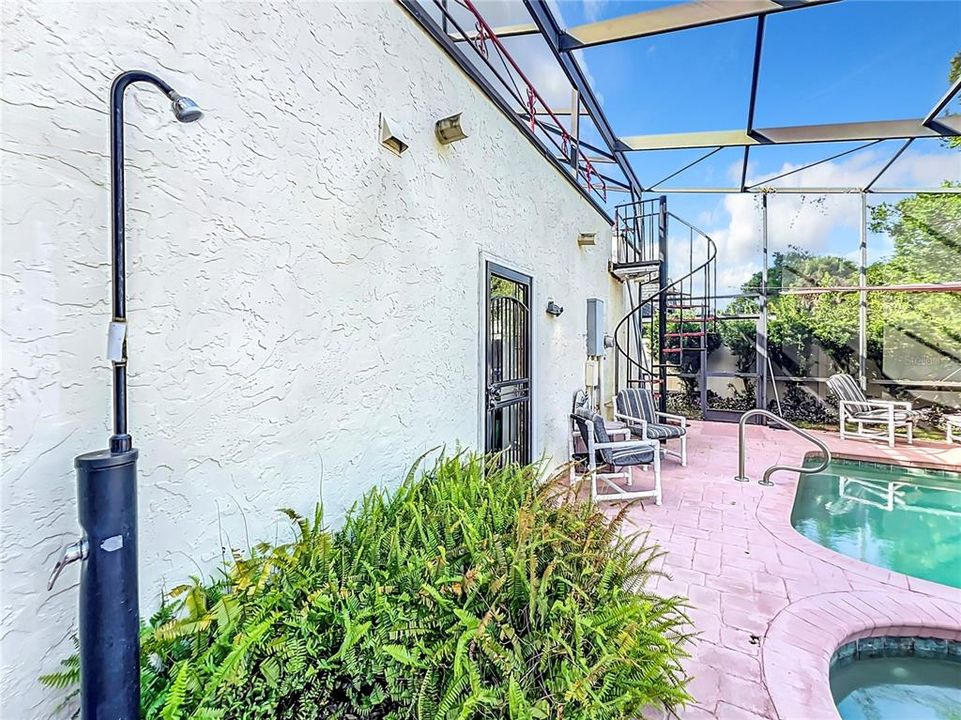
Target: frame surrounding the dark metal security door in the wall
{"x": 501, "y": 266}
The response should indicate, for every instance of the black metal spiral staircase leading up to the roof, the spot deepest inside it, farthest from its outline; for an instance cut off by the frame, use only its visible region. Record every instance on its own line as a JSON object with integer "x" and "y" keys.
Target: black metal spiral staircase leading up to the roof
{"x": 668, "y": 268}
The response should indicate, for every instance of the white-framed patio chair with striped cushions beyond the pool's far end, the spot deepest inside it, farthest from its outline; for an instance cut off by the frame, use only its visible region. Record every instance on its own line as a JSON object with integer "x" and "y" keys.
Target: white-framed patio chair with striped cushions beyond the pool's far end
{"x": 854, "y": 408}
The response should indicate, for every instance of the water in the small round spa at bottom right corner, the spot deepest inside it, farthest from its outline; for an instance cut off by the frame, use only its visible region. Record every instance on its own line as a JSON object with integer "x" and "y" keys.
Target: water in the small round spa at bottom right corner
{"x": 898, "y": 688}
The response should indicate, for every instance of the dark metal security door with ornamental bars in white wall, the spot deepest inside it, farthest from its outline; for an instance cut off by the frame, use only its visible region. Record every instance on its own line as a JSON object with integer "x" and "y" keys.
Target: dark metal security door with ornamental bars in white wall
{"x": 507, "y": 424}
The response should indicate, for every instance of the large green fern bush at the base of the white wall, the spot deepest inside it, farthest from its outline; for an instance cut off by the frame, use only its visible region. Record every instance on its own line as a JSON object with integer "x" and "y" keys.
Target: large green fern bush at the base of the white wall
{"x": 472, "y": 591}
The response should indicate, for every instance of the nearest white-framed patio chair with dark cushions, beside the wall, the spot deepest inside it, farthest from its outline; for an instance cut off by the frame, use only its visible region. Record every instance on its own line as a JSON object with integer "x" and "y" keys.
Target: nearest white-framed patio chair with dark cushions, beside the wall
{"x": 605, "y": 461}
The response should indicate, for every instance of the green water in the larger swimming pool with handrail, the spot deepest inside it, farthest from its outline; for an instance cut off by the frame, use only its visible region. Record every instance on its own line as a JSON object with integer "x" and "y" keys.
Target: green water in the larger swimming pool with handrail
{"x": 903, "y": 519}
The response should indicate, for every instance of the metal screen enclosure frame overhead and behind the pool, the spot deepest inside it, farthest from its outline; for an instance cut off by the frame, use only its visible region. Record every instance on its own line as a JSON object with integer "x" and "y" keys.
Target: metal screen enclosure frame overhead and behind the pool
{"x": 482, "y": 51}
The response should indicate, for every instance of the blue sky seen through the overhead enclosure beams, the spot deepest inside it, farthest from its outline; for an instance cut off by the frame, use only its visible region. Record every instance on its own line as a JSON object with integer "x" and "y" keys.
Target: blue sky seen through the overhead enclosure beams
{"x": 847, "y": 61}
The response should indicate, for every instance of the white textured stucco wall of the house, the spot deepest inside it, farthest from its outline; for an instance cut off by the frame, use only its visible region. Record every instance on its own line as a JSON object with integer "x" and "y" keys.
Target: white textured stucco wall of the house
{"x": 303, "y": 304}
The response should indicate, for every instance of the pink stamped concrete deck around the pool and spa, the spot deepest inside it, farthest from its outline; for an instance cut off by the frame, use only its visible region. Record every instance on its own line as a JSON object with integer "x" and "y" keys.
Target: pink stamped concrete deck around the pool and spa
{"x": 771, "y": 606}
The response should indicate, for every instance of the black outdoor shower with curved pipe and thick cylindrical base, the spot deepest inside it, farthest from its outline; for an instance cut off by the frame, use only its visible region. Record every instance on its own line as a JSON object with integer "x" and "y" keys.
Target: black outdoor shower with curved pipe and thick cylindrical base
{"x": 107, "y": 485}
